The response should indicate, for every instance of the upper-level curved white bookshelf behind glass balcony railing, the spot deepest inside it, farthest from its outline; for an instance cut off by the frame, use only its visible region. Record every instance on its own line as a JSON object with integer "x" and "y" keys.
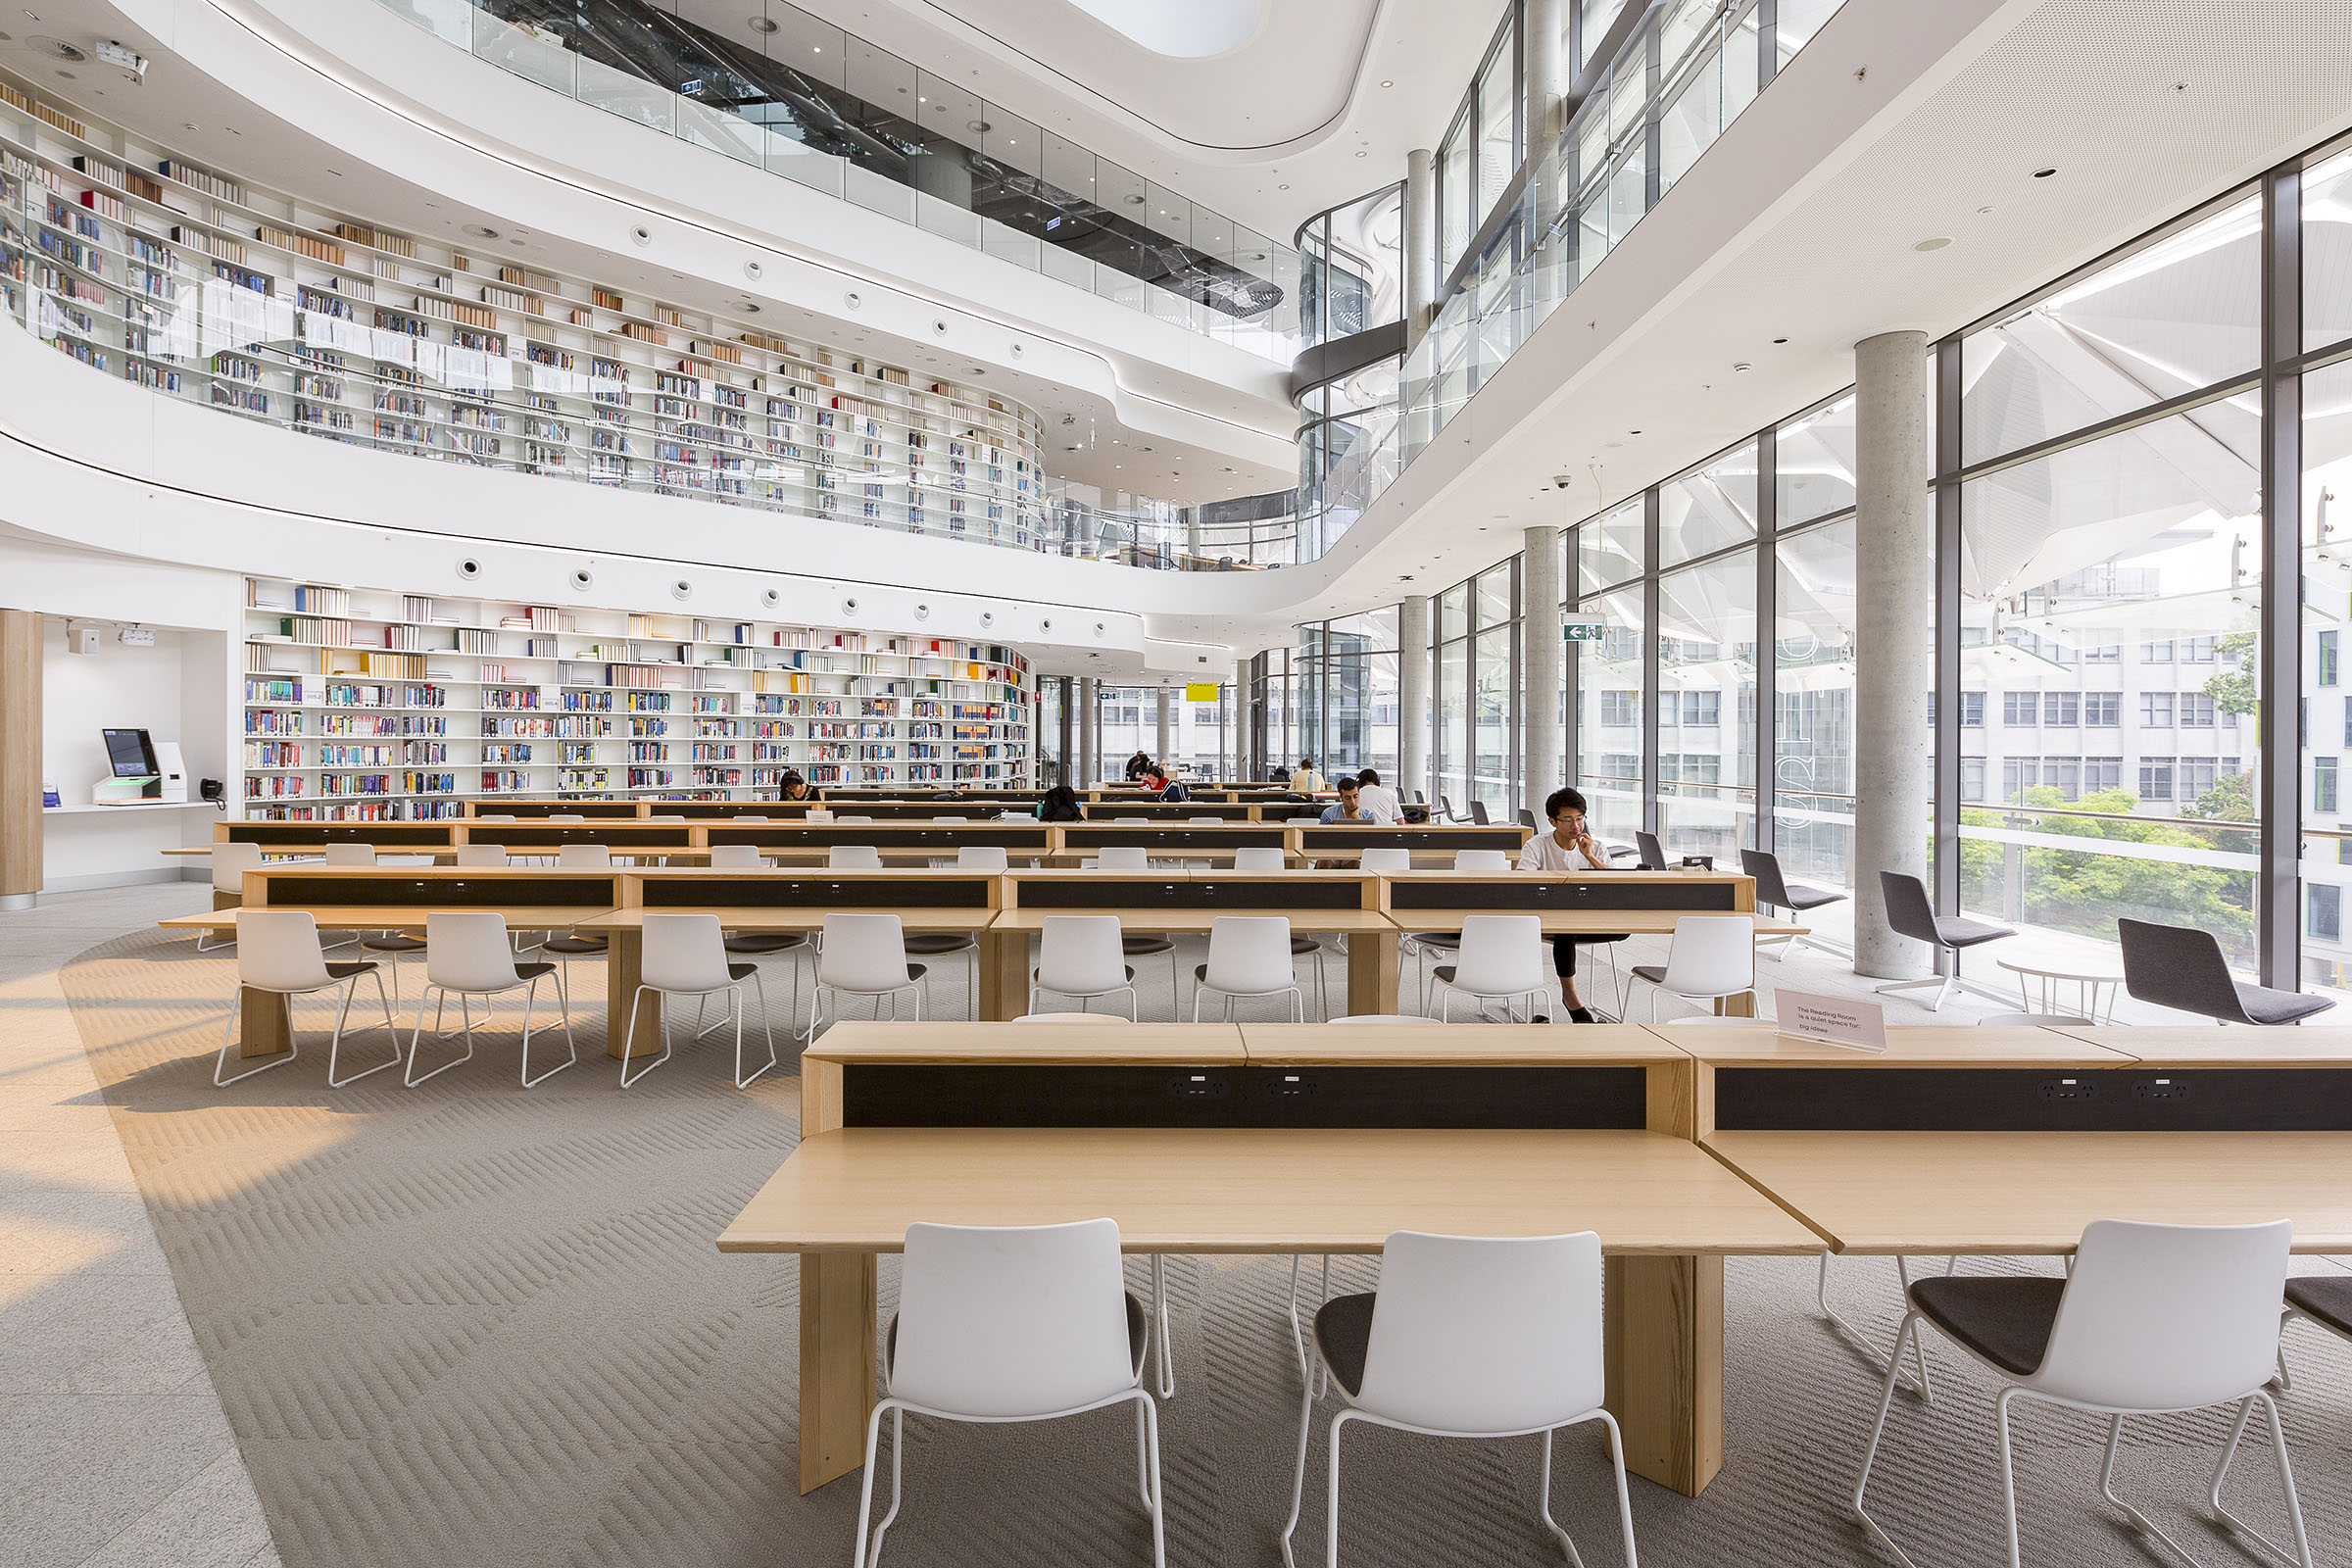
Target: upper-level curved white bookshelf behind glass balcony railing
{"x": 260, "y": 304}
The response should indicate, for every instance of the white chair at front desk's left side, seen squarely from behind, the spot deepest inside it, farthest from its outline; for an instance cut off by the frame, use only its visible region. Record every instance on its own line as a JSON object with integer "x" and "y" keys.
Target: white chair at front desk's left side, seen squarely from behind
{"x": 1013, "y": 1327}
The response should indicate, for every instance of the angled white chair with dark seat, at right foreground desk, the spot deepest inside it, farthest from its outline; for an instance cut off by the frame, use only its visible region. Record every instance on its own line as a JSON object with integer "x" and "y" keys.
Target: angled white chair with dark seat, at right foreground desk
{"x": 2156, "y": 1320}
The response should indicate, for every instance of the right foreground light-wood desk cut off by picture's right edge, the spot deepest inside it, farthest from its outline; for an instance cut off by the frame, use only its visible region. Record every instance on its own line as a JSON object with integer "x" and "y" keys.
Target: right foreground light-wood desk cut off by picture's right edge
{"x": 2014, "y": 1139}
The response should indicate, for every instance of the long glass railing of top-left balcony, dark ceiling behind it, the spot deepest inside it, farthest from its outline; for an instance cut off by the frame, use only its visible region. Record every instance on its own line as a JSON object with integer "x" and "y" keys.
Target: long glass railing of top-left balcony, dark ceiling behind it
{"x": 867, "y": 133}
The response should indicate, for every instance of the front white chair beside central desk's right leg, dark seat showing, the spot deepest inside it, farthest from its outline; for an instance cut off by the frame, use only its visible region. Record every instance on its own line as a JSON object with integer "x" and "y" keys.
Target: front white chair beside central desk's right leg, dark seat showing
{"x": 1469, "y": 1336}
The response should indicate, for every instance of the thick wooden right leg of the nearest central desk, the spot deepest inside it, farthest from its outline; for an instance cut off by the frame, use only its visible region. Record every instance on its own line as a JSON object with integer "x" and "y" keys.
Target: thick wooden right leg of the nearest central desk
{"x": 1664, "y": 1336}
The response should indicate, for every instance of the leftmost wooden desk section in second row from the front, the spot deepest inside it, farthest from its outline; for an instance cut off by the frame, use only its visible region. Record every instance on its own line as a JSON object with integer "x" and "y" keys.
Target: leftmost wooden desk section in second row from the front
{"x": 399, "y": 899}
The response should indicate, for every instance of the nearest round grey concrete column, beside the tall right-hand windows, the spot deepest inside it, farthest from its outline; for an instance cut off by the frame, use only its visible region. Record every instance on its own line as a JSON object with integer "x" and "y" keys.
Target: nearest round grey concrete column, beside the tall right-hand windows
{"x": 1895, "y": 666}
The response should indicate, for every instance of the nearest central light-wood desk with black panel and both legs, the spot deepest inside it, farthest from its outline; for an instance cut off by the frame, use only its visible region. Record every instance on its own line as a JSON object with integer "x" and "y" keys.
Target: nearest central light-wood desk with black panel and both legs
{"x": 1196, "y": 1139}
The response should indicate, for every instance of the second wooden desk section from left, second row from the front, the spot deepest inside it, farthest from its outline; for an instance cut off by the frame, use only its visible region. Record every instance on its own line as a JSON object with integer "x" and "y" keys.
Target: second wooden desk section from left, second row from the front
{"x": 942, "y": 902}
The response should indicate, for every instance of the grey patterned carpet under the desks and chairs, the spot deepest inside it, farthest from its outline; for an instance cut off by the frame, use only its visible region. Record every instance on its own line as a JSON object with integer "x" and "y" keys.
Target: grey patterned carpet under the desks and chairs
{"x": 479, "y": 1325}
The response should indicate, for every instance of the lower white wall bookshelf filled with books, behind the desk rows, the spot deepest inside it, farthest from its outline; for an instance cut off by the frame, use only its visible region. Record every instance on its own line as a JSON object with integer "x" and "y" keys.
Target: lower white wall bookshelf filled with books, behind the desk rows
{"x": 392, "y": 706}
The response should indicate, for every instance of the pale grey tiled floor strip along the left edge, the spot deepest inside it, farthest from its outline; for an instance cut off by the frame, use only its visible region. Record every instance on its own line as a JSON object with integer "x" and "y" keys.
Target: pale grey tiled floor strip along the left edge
{"x": 114, "y": 1449}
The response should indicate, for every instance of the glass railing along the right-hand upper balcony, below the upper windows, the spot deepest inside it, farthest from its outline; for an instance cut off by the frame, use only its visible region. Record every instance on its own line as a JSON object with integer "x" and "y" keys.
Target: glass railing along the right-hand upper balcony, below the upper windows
{"x": 1622, "y": 154}
